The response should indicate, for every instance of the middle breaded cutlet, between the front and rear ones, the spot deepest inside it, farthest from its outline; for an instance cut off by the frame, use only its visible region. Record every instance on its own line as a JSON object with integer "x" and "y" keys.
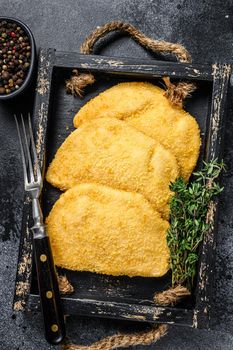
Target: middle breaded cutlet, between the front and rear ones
{"x": 111, "y": 152}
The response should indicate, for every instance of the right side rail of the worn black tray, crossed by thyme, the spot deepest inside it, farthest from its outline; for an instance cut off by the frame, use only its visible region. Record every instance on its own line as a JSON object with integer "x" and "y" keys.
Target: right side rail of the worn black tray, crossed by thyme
{"x": 221, "y": 76}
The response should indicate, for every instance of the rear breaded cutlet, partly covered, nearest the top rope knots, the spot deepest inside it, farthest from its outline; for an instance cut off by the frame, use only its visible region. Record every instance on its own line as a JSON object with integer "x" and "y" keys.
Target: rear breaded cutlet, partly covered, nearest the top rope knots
{"x": 144, "y": 106}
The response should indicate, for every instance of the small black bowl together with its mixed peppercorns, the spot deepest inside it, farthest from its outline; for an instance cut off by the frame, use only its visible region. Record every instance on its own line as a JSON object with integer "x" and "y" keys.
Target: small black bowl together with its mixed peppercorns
{"x": 17, "y": 57}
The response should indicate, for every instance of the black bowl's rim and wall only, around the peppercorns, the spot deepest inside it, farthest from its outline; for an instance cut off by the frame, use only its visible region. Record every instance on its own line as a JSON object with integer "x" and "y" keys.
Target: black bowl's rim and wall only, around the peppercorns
{"x": 30, "y": 72}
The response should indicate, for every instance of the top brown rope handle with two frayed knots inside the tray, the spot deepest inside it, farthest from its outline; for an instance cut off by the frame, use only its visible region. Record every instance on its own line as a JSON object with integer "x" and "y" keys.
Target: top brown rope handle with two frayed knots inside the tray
{"x": 176, "y": 93}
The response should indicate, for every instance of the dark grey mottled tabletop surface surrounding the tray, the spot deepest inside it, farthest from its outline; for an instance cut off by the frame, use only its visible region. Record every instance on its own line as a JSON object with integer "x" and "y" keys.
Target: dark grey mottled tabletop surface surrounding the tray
{"x": 206, "y": 29}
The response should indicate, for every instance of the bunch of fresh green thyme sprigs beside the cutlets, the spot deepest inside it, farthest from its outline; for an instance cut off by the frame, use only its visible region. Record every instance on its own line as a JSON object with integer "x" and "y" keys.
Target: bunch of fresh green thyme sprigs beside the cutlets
{"x": 189, "y": 207}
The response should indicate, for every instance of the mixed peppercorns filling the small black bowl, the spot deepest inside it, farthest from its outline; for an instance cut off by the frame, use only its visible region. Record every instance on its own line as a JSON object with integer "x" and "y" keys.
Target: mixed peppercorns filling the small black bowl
{"x": 15, "y": 56}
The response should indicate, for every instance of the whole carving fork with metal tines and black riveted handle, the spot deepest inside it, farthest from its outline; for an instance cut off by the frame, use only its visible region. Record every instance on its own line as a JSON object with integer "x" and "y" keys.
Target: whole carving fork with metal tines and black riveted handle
{"x": 46, "y": 274}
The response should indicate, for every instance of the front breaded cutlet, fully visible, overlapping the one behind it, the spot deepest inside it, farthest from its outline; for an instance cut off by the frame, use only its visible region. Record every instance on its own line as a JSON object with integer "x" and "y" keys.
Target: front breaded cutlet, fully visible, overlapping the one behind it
{"x": 99, "y": 229}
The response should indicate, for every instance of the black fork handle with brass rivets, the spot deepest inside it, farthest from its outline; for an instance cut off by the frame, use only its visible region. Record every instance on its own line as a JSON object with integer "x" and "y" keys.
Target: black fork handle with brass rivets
{"x": 51, "y": 306}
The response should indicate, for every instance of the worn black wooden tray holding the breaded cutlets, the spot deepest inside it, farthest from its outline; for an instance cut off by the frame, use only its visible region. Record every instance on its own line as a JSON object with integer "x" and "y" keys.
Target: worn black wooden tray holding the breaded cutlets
{"x": 108, "y": 296}
